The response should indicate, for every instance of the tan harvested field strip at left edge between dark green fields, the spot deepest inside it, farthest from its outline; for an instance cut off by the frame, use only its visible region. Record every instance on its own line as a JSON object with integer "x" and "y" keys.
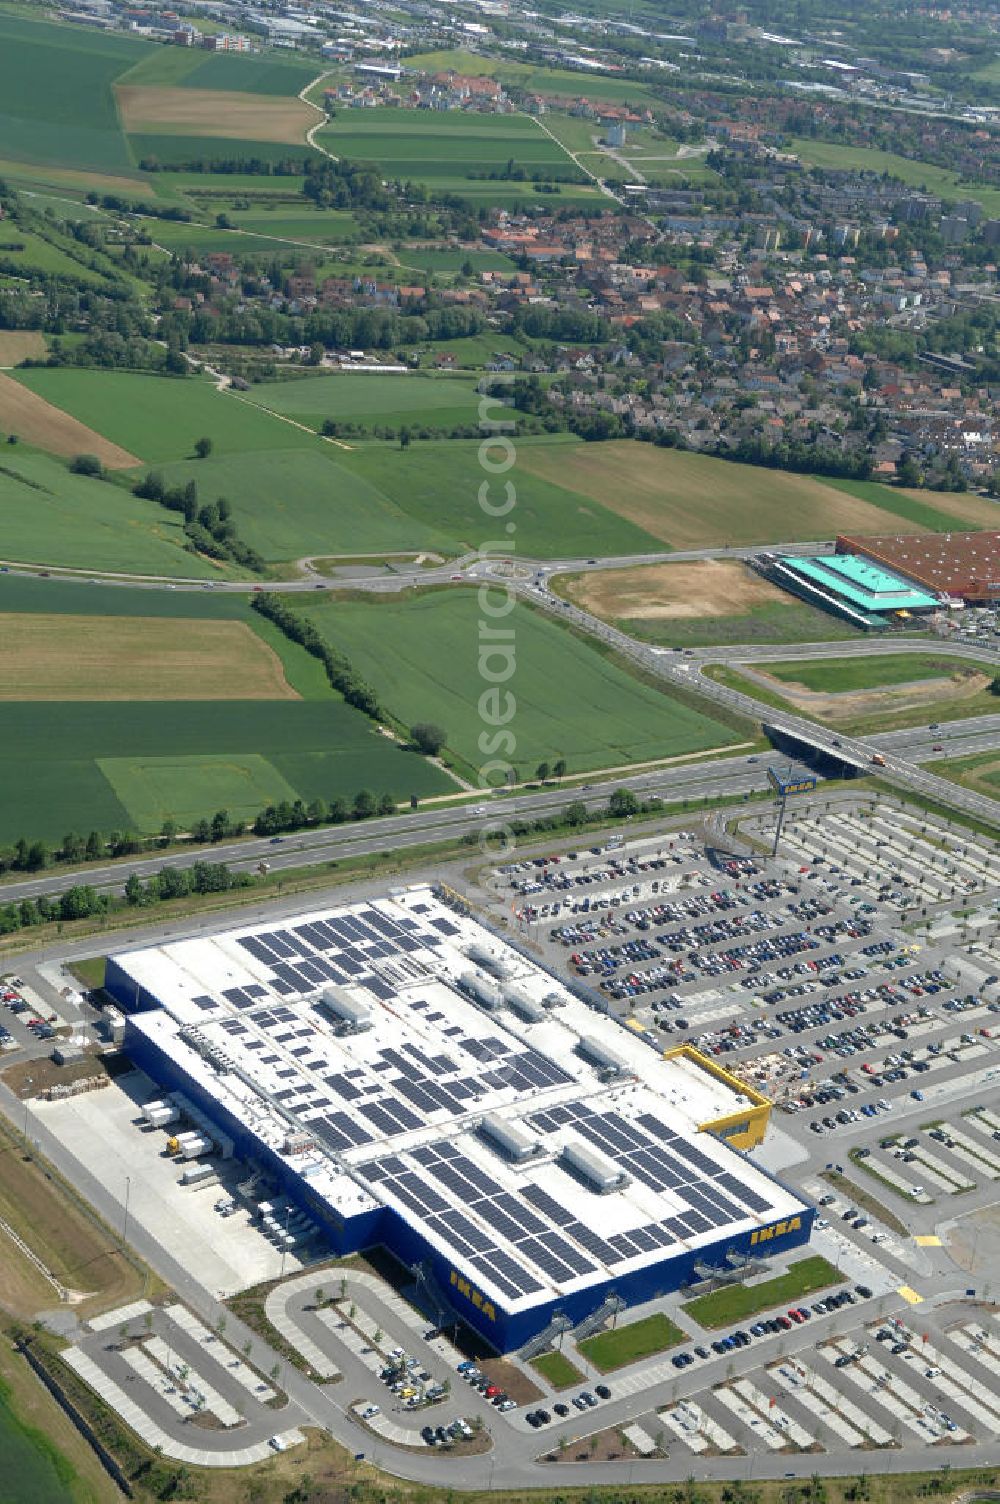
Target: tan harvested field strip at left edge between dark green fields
{"x": 132, "y": 658}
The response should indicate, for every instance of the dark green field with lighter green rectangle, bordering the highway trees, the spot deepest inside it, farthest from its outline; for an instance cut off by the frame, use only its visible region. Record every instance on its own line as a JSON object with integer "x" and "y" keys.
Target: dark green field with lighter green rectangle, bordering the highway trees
{"x": 126, "y": 765}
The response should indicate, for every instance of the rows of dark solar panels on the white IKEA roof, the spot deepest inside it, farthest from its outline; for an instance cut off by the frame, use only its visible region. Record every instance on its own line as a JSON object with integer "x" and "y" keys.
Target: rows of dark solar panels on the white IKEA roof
{"x": 434, "y": 1067}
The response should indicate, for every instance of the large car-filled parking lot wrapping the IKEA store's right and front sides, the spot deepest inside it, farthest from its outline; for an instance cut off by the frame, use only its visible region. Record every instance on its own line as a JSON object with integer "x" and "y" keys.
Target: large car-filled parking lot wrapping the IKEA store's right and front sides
{"x": 880, "y": 1046}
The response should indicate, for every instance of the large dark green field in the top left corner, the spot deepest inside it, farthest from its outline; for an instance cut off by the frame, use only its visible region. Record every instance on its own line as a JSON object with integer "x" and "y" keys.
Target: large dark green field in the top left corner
{"x": 56, "y": 100}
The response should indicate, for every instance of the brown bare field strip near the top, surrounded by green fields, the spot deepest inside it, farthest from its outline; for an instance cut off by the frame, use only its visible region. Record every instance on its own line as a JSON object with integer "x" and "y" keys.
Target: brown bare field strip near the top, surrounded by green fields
{"x": 211, "y": 112}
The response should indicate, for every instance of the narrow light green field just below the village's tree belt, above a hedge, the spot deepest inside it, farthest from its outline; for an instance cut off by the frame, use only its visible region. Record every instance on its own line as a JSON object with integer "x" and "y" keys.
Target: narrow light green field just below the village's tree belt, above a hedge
{"x": 371, "y": 399}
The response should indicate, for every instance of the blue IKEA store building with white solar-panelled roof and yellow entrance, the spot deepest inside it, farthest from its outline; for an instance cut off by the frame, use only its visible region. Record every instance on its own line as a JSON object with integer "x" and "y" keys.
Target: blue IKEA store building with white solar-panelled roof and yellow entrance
{"x": 413, "y": 1081}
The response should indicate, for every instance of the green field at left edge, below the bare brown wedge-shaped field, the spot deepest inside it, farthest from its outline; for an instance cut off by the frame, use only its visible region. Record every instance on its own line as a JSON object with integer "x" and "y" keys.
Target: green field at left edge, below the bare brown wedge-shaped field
{"x": 73, "y": 523}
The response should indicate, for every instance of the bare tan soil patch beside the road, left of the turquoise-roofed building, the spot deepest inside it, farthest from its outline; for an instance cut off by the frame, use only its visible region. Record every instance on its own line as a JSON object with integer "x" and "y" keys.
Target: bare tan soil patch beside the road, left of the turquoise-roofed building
{"x": 655, "y": 592}
